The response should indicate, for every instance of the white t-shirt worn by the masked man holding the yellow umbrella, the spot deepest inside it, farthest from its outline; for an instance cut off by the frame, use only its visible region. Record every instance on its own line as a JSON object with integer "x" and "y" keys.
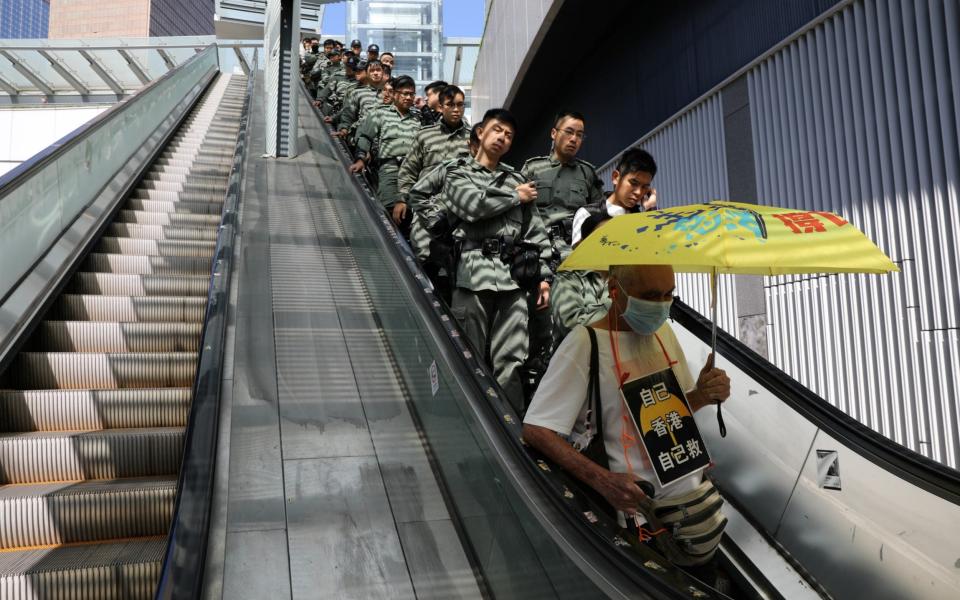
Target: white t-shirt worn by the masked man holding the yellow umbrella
{"x": 560, "y": 403}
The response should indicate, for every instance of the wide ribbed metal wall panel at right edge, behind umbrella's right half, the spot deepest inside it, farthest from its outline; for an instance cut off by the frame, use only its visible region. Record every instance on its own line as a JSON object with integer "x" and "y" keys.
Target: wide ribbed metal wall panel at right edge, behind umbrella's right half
{"x": 861, "y": 116}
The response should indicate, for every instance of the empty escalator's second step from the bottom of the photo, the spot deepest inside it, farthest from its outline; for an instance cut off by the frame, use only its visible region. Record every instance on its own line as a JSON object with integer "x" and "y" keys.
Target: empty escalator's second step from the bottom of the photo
{"x": 84, "y": 511}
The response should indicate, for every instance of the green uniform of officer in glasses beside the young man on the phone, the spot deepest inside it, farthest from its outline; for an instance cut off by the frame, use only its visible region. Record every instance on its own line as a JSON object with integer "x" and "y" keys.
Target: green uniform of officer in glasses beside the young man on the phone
{"x": 562, "y": 188}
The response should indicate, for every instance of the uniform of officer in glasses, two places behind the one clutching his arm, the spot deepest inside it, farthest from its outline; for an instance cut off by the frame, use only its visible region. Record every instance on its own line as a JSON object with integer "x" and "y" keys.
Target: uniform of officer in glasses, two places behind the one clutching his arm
{"x": 393, "y": 135}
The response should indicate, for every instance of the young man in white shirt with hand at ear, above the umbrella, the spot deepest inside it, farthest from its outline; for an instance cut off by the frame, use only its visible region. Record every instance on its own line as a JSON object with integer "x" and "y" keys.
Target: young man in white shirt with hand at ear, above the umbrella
{"x": 632, "y": 190}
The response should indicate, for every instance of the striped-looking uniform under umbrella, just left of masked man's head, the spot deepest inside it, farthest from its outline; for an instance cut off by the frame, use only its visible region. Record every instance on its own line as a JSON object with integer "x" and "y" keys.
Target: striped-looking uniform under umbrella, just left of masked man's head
{"x": 577, "y": 298}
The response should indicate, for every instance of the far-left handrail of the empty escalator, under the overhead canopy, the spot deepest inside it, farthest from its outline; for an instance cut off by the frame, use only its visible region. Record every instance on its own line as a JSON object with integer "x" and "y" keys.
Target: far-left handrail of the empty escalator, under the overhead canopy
{"x": 27, "y": 169}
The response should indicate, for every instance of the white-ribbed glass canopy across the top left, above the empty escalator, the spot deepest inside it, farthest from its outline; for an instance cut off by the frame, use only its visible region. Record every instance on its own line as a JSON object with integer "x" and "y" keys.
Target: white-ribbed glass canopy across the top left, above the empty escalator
{"x": 95, "y": 70}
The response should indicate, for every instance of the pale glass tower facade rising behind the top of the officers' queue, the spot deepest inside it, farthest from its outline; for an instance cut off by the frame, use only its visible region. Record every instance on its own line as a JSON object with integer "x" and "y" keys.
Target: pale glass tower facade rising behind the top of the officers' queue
{"x": 411, "y": 29}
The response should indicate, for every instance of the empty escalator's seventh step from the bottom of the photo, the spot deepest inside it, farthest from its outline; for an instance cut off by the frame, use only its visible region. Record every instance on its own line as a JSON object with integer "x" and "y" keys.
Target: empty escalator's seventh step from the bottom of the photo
{"x": 126, "y": 309}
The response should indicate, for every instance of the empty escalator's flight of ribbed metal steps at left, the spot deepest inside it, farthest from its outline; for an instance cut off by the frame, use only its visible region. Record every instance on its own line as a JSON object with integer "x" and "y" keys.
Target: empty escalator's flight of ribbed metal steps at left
{"x": 94, "y": 407}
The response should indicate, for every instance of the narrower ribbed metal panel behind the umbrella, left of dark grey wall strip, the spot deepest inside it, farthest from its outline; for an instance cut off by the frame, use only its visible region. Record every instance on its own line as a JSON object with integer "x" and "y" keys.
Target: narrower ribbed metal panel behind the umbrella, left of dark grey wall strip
{"x": 691, "y": 168}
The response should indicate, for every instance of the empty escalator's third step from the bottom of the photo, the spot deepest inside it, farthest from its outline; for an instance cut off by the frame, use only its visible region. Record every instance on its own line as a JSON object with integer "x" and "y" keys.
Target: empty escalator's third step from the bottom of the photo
{"x": 38, "y": 457}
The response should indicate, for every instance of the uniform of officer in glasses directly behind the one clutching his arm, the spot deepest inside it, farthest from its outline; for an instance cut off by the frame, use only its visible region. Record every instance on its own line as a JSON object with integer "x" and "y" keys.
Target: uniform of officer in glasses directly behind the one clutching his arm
{"x": 432, "y": 146}
